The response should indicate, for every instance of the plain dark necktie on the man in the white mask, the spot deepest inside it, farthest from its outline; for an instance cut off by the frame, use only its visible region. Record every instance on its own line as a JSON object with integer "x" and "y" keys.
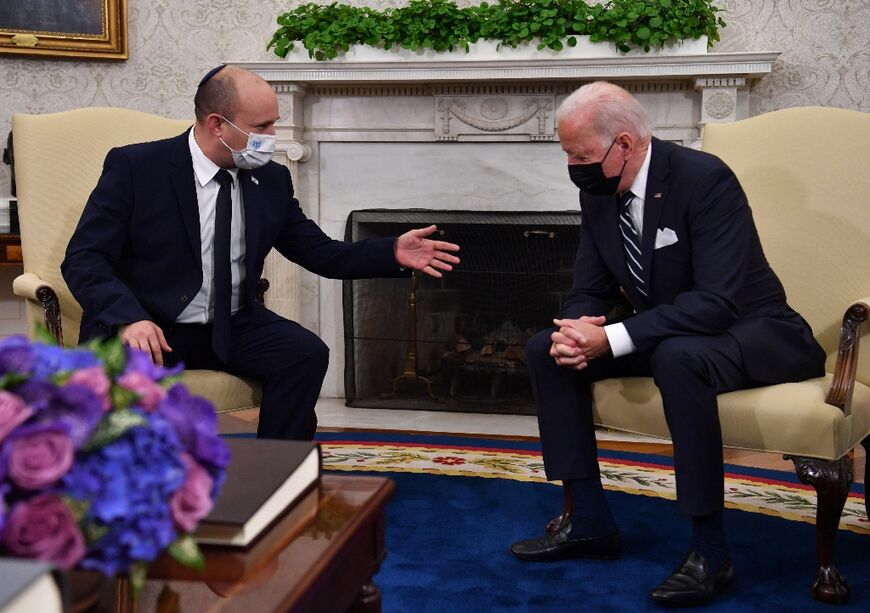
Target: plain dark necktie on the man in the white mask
{"x": 221, "y": 335}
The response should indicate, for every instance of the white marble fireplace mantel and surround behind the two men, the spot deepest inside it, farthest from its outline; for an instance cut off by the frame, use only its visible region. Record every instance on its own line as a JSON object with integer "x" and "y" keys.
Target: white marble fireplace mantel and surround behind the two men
{"x": 460, "y": 135}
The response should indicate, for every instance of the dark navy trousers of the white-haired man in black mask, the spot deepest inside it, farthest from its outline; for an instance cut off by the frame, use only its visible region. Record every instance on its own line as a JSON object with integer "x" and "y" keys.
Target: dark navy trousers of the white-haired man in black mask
{"x": 689, "y": 372}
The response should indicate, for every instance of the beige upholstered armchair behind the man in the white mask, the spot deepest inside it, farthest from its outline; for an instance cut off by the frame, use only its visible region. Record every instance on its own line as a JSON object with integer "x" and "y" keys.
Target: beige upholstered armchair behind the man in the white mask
{"x": 58, "y": 159}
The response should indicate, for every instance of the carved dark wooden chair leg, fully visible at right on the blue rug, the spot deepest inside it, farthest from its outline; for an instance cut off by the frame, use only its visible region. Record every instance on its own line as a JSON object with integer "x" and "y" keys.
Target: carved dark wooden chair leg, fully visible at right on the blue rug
{"x": 831, "y": 481}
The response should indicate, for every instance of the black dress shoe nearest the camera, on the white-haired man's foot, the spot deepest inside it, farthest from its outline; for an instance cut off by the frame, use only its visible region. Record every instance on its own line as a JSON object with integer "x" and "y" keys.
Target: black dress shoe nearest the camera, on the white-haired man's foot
{"x": 692, "y": 583}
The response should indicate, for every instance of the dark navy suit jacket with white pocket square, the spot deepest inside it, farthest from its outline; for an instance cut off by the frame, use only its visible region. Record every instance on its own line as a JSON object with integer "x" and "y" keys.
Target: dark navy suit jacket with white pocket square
{"x": 714, "y": 279}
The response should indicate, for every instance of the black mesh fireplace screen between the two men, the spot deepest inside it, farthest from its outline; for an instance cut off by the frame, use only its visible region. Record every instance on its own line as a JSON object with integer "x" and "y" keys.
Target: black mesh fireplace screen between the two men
{"x": 457, "y": 343}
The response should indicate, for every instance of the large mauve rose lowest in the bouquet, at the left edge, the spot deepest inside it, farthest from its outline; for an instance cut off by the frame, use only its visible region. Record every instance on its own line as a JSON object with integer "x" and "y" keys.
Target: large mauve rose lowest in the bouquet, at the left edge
{"x": 43, "y": 528}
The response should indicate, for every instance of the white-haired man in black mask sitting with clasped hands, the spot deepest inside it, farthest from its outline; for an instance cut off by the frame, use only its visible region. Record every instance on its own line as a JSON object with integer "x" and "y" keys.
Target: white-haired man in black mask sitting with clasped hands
{"x": 671, "y": 228}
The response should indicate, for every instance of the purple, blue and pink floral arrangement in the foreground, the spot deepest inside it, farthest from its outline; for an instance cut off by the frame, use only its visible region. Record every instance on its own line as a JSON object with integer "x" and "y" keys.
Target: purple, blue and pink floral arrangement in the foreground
{"x": 106, "y": 460}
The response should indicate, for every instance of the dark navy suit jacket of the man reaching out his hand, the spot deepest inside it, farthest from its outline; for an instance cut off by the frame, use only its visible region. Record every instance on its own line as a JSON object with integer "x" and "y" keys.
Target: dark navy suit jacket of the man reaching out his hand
{"x": 136, "y": 251}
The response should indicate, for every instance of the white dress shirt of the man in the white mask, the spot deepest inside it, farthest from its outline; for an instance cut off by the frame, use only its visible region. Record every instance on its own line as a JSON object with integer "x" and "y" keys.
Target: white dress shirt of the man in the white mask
{"x": 201, "y": 308}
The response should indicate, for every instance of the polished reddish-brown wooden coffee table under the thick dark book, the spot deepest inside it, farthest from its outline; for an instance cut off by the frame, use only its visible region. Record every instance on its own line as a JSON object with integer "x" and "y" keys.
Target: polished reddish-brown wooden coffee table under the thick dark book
{"x": 321, "y": 556}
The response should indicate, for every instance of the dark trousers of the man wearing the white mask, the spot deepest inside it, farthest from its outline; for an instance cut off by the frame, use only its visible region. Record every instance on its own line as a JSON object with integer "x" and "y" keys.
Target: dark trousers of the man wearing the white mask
{"x": 288, "y": 360}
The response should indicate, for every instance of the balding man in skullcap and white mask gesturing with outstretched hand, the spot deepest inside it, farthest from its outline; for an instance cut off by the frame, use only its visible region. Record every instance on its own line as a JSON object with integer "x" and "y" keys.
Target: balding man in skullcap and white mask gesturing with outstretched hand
{"x": 172, "y": 241}
